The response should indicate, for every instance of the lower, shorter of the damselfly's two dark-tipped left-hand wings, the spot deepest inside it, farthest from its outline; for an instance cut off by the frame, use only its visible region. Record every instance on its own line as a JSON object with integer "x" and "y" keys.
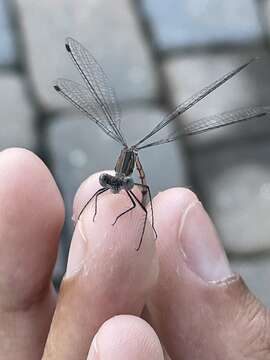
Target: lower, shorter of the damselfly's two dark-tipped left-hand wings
{"x": 81, "y": 98}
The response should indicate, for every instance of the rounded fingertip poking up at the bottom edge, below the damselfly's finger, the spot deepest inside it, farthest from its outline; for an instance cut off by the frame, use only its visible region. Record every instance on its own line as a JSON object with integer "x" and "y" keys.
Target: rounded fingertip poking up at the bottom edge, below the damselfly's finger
{"x": 125, "y": 337}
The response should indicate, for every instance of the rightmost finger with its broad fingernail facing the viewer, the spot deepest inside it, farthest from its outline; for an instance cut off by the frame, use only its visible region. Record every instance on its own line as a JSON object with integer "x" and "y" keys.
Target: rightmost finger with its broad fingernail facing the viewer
{"x": 199, "y": 308}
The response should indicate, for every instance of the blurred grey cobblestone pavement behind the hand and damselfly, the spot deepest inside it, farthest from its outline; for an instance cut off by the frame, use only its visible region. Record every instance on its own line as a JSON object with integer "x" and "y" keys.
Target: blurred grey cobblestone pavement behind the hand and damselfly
{"x": 156, "y": 54}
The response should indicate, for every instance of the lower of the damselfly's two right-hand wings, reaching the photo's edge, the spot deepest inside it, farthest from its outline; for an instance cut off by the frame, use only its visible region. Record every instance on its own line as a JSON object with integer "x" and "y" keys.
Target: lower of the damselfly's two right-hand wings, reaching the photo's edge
{"x": 213, "y": 122}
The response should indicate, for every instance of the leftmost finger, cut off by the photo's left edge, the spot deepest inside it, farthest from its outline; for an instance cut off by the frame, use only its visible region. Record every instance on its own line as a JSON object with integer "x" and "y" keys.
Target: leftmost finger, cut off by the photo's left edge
{"x": 31, "y": 217}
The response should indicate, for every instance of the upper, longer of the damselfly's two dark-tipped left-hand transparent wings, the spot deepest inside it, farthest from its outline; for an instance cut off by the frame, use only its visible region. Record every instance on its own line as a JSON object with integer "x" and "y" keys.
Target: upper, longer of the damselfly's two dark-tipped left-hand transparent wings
{"x": 98, "y": 84}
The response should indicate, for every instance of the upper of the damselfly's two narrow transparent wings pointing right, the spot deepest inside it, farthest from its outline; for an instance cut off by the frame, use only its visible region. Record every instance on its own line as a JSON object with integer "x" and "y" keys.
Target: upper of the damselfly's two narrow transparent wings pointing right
{"x": 194, "y": 99}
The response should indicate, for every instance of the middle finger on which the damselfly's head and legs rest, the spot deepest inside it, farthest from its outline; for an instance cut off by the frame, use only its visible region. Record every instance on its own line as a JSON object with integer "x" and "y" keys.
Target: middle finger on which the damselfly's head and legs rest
{"x": 105, "y": 275}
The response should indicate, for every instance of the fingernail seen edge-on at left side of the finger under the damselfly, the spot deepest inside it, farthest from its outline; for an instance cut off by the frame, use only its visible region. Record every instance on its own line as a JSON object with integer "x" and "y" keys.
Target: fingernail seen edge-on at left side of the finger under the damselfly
{"x": 77, "y": 251}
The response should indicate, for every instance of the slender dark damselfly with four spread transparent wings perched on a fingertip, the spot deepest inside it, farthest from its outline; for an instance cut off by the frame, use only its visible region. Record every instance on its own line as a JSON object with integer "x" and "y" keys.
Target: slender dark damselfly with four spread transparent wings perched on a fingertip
{"x": 98, "y": 101}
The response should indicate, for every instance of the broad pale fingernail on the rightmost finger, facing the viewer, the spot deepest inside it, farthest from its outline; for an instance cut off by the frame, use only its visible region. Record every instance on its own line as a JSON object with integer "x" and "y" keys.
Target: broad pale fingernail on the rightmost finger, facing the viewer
{"x": 201, "y": 247}
